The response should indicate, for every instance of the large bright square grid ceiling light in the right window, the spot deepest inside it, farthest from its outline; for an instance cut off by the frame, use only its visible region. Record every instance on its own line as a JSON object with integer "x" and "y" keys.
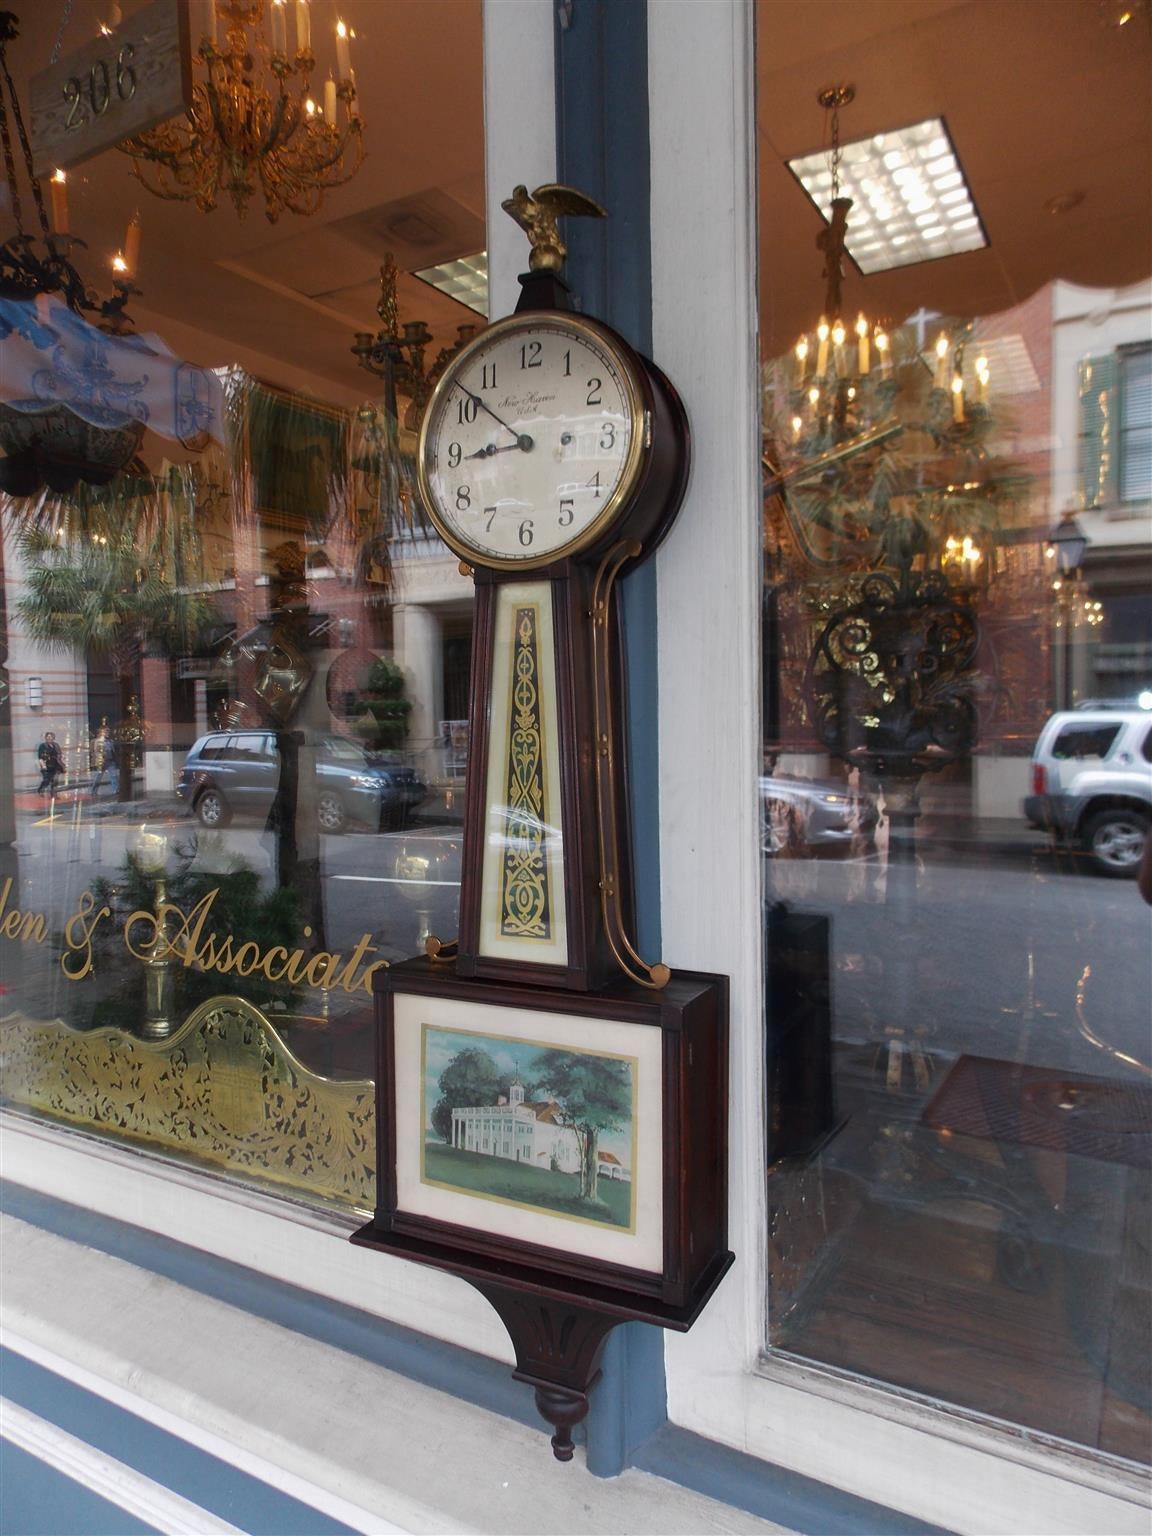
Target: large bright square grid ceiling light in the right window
{"x": 913, "y": 184}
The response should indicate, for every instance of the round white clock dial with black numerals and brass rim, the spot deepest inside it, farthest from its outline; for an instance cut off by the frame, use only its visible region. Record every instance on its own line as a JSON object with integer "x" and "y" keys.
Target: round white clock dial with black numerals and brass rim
{"x": 531, "y": 448}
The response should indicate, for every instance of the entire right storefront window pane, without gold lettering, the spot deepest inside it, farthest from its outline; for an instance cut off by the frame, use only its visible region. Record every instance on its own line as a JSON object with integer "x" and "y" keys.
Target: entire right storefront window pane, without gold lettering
{"x": 958, "y": 706}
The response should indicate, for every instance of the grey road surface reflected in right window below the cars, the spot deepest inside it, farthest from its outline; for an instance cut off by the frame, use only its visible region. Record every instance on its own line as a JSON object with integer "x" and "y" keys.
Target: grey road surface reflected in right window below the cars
{"x": 979, "y": 925}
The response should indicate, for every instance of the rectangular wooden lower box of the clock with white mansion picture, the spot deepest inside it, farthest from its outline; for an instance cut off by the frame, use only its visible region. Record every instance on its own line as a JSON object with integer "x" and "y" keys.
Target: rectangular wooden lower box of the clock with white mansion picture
{"x": 677, "y": 1042}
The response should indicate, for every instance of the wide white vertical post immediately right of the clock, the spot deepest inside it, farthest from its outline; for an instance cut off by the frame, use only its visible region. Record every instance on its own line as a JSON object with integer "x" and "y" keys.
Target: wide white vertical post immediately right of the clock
{"x": 709, "y": 574}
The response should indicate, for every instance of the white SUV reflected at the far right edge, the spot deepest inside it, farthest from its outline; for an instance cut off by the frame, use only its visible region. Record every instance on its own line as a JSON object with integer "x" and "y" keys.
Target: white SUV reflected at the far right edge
{"x": 1093, "y": 784}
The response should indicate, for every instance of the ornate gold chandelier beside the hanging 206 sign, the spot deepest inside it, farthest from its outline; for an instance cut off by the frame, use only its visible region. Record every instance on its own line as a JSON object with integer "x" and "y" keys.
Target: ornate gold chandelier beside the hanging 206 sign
{"x": 254, "y": 121}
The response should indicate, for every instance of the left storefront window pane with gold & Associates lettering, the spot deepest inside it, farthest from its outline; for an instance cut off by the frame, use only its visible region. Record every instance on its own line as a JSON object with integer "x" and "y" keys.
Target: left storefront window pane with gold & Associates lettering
{"x": 234, "y": 726}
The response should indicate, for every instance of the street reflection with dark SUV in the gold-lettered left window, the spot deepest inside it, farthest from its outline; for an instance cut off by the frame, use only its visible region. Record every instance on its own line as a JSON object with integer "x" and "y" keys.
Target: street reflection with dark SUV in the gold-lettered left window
{"x": 222, "y": 635}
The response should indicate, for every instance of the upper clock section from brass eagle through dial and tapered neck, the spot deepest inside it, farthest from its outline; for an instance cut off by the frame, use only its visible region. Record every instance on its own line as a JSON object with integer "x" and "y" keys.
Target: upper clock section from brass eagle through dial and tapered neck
{"x": 552, "y": 457}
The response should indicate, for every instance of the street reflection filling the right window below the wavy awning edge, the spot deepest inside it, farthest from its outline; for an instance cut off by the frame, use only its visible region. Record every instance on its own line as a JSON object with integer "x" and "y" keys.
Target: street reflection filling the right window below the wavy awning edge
{"x": 956, "y": 798}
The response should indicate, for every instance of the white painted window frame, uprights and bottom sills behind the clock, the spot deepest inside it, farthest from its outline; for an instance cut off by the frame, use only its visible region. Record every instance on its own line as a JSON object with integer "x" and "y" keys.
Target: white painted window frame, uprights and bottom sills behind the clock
{"x": 948, "y": 1468}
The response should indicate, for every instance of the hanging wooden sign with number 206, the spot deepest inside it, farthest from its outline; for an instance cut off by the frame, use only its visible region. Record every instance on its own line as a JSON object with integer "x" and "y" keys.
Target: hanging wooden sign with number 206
{"x": 113, "y": 88}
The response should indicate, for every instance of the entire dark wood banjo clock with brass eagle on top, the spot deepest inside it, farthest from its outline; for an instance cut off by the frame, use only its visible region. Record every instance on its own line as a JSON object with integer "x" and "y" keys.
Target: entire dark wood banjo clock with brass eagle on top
{"x": 552, "y": 1108}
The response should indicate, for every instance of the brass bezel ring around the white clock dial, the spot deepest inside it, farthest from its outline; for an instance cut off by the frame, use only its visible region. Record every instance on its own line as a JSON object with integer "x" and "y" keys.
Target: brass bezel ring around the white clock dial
{"x": 631, "y": 372}
